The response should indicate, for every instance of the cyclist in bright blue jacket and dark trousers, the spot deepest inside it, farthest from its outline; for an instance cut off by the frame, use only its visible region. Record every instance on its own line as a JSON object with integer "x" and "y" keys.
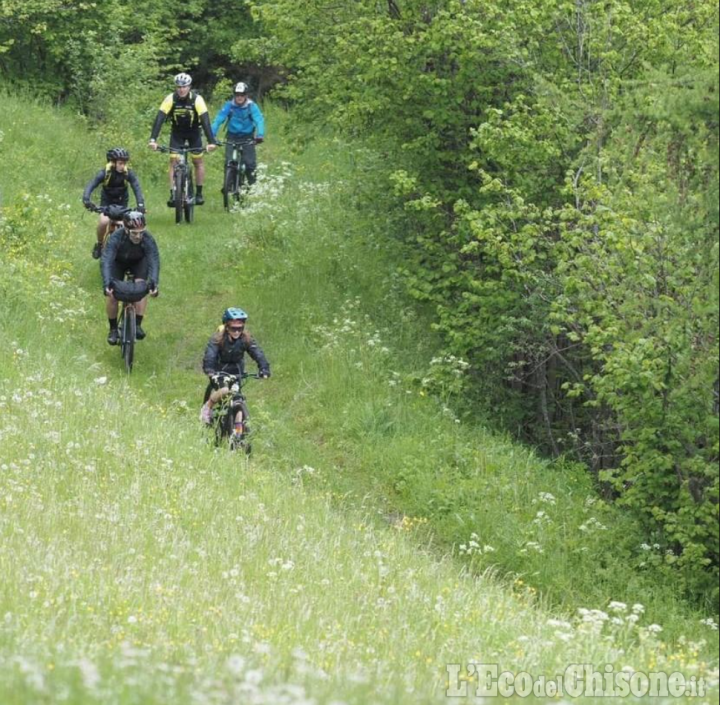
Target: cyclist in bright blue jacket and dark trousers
{"x": 245, "y": 123}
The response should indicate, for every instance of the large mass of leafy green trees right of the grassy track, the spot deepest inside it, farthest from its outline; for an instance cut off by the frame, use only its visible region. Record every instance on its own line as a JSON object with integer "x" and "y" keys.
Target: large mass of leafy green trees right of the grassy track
{"x": 557, "y": 162}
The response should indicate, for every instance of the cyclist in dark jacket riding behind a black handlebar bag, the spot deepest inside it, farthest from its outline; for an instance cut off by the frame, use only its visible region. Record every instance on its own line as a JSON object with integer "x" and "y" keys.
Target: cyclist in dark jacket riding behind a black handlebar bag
{"x": 130, "y": 249}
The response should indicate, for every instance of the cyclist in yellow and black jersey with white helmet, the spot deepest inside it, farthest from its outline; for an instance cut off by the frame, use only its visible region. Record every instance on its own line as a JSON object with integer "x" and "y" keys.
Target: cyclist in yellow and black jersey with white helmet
{"x": 187, "y": 113}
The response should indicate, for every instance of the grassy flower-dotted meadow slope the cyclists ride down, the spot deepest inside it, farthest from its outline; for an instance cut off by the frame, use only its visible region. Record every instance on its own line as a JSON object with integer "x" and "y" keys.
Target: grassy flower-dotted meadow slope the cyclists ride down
{"x": 141, "y": 557}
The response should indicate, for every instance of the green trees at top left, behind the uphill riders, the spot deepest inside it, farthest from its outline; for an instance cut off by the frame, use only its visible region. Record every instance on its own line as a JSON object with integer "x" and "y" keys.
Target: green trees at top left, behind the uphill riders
{"x": 104, "y": 56}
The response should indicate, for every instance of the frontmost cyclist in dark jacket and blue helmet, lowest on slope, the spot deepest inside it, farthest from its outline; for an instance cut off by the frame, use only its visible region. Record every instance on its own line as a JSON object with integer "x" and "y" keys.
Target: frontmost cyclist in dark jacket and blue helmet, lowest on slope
{"x": 225, "y": 352}
